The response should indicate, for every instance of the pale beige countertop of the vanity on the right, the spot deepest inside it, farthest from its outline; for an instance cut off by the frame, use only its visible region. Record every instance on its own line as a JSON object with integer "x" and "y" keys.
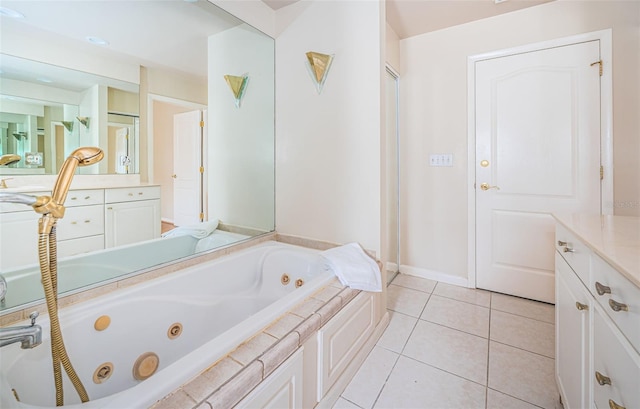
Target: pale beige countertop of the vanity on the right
{"x": 614, "y": 238}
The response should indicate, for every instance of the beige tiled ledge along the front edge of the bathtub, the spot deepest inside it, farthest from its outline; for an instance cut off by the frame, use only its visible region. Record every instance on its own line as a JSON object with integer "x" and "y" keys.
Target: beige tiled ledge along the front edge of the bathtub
{"x": 230, "y": 379}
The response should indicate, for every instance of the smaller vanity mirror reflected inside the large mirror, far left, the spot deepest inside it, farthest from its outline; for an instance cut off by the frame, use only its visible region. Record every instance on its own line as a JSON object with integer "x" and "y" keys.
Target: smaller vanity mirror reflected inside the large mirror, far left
{"x": 55, "y": 110}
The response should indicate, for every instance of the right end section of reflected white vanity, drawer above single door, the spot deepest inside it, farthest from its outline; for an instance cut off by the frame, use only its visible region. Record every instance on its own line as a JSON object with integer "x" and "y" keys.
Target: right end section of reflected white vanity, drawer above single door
{"x": 132, "y": 214}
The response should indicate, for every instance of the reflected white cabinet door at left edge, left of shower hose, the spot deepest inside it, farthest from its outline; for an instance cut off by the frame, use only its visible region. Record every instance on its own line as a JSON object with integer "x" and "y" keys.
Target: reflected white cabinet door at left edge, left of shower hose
{"x": 18, "y": 239}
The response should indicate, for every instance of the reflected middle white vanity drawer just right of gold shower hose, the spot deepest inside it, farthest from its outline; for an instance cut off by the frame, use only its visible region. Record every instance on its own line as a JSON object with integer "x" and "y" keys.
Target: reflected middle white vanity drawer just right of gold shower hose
{"x": 81, "y": 221}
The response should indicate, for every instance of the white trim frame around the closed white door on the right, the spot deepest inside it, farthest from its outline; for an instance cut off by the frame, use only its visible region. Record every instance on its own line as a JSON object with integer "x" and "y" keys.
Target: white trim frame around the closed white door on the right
{"x": 606, "y": 128}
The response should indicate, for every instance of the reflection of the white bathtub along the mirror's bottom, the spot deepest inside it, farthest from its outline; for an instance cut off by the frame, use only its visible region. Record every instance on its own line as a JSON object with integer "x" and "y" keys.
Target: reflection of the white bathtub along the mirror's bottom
{"x": 86, "y": 269}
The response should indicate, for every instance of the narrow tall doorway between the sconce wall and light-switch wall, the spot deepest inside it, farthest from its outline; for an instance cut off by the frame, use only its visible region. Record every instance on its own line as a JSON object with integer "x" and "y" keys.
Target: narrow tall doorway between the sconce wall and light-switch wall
{"x": 392, "y": 175}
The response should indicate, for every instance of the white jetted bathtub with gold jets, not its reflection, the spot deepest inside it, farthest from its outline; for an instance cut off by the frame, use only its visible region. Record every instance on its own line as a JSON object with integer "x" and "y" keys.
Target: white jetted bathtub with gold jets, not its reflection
{"x": 219, "y": 305}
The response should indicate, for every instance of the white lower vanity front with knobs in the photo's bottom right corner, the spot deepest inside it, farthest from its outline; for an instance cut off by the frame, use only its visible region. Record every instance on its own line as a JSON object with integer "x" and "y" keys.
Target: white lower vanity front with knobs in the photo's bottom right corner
{"x": 616, "y": 360}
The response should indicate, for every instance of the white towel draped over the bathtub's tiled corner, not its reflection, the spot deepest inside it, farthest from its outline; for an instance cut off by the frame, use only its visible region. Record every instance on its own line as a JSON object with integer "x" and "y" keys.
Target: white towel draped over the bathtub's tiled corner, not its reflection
{"x": 353, "y": 267}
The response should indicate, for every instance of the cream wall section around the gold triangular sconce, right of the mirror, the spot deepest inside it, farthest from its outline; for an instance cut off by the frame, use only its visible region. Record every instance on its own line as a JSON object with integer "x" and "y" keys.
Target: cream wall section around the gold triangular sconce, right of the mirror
{"x": 328, "y": 153}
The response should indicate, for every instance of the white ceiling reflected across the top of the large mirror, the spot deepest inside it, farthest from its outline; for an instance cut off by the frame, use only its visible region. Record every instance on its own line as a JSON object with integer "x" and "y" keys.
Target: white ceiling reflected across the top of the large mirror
{"x": 167, "y": 33}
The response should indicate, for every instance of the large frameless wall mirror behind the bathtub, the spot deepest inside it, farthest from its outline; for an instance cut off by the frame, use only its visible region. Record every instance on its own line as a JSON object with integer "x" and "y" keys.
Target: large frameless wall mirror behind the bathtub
{"x": 58, "y": 92}
